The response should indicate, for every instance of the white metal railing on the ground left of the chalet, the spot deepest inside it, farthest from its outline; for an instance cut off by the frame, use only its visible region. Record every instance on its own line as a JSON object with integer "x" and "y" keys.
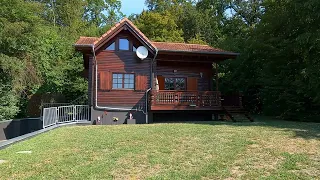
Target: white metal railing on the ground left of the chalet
{"x": 65, "y": 114}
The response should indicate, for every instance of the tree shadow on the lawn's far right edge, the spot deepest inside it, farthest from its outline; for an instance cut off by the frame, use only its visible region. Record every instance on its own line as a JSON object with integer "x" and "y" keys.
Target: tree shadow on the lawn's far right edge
{"x": 306, "y": 130}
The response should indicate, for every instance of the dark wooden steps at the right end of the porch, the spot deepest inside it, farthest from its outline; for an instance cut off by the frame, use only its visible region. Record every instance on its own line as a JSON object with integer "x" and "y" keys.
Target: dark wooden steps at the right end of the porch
{"x": 237, "y": 114}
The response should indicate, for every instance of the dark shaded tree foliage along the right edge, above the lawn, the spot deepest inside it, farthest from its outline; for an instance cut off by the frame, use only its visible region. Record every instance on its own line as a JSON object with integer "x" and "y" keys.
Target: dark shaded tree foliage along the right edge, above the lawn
{"x": 291, "y": 68}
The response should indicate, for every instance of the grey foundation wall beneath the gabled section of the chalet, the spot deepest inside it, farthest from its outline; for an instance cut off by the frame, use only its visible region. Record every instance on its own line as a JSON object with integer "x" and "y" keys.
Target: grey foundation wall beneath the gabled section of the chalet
{"x": 106, "y": 117}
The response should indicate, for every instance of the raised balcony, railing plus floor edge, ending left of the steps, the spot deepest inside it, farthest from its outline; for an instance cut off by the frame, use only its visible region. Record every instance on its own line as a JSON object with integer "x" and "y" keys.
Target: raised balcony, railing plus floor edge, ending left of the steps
{"x": 185, "y": 100}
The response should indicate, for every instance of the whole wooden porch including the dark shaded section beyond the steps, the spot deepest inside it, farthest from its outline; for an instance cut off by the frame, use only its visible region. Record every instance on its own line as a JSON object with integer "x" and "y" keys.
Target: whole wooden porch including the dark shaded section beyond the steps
{"x": 168, "y": 100}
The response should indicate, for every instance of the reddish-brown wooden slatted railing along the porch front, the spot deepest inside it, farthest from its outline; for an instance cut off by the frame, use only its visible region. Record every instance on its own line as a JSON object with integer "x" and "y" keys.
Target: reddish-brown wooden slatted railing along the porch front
{"x": 186, "y": 98}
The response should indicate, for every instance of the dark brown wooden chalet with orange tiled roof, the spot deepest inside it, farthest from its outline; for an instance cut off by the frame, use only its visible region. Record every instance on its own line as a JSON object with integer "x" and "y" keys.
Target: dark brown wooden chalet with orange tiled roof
{"x": 174, "y": 82}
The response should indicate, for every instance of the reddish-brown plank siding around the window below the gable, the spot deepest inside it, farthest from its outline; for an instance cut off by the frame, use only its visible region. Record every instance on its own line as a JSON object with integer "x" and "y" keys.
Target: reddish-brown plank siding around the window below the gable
{"x": 122, "y": 62}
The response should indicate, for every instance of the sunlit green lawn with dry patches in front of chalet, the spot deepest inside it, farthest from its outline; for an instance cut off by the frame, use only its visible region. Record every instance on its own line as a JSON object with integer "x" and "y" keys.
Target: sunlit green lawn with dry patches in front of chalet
{"x": 266, "y": 149}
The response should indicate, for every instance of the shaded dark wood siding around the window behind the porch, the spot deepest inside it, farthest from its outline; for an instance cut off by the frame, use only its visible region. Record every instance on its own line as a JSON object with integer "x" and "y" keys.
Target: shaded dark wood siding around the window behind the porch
{"x": 187, "y": 70}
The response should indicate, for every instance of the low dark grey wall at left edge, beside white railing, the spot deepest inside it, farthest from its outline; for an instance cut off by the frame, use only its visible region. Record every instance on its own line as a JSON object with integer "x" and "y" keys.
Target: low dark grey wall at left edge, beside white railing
{"x": 14, "y": 128}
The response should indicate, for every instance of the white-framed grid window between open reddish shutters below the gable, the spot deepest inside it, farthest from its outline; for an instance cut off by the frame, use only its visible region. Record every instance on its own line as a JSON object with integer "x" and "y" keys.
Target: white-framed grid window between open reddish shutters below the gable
{"x": 122, "y": 81}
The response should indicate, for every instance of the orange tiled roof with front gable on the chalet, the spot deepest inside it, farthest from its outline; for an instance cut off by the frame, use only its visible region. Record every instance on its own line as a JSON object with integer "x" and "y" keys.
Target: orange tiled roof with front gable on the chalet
{"x": 160, "y": 46}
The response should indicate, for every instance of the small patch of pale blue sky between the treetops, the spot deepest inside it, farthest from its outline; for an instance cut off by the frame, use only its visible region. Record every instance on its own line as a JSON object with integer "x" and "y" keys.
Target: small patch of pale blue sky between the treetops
{"x": 132, "y": 6}
